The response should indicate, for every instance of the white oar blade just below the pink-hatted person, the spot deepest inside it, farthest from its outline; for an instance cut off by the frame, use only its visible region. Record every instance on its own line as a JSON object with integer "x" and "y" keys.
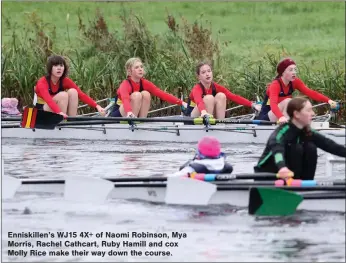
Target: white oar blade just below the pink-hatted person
{"x": 187, "y": 191}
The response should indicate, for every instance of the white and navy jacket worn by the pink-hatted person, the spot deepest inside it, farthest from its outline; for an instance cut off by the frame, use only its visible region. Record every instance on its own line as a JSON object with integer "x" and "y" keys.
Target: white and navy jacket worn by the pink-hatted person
{"x": 215, "y": 166}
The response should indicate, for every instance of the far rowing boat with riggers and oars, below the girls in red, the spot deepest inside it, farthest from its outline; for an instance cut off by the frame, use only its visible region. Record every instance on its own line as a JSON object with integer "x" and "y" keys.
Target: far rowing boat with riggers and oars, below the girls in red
{"x": 168, "y": 129}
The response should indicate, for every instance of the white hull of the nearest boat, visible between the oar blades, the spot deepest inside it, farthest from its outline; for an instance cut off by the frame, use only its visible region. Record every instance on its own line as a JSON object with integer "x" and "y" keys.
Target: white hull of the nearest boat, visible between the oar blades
{"x": 237, "y": 198}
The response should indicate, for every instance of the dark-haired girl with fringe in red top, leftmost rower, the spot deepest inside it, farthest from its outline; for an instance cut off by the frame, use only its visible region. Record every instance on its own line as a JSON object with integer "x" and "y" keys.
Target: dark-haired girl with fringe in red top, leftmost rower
{"x": 59, "y": 94}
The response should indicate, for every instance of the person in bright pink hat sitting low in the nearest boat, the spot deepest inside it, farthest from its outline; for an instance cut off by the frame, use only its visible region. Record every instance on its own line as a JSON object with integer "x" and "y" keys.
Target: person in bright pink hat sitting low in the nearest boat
{"x": 208, "y": 159}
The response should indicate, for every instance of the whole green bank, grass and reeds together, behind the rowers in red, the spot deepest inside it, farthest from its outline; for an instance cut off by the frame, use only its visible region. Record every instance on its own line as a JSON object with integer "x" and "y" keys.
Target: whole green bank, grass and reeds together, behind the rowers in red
{"x": 244, "y": 40}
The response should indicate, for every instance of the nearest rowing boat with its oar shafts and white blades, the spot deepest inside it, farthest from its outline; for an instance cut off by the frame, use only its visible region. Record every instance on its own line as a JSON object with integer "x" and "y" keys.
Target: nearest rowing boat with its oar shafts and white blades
{"x": 181, "y": 191}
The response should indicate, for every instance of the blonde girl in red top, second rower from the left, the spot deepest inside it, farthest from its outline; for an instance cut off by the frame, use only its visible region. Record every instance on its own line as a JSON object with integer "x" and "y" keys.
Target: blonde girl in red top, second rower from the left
{"x": 134, "y": 94}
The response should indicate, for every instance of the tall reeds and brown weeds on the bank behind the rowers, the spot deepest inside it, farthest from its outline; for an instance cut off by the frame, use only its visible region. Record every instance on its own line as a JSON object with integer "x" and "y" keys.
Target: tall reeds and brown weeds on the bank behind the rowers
{"x": 170, "y": 59}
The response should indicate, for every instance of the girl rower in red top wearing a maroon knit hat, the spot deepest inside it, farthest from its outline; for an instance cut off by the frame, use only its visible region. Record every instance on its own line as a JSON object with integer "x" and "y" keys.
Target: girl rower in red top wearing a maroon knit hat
{"x": 279, "y": 93}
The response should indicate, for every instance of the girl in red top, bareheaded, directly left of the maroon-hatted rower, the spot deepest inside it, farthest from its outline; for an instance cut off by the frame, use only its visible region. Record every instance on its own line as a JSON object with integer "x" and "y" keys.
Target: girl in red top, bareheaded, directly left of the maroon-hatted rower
{"x": 210, "y": 97}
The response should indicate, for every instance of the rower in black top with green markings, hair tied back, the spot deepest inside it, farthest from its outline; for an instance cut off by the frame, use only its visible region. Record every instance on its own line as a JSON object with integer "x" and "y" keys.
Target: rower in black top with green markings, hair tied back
{"x": 292, "y": 147}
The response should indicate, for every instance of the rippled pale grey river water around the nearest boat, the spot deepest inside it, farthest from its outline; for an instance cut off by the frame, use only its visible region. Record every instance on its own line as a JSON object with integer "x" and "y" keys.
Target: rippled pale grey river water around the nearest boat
{"x": 210, "y": 234}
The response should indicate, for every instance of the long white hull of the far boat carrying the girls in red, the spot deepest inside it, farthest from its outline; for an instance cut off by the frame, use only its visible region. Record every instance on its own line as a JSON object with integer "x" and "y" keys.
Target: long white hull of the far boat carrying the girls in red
{"x": 163, "y": 132}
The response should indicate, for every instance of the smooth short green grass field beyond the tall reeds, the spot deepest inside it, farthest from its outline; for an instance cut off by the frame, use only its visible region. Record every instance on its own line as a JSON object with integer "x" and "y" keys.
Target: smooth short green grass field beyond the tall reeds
{"x": 309, "y": 32}
